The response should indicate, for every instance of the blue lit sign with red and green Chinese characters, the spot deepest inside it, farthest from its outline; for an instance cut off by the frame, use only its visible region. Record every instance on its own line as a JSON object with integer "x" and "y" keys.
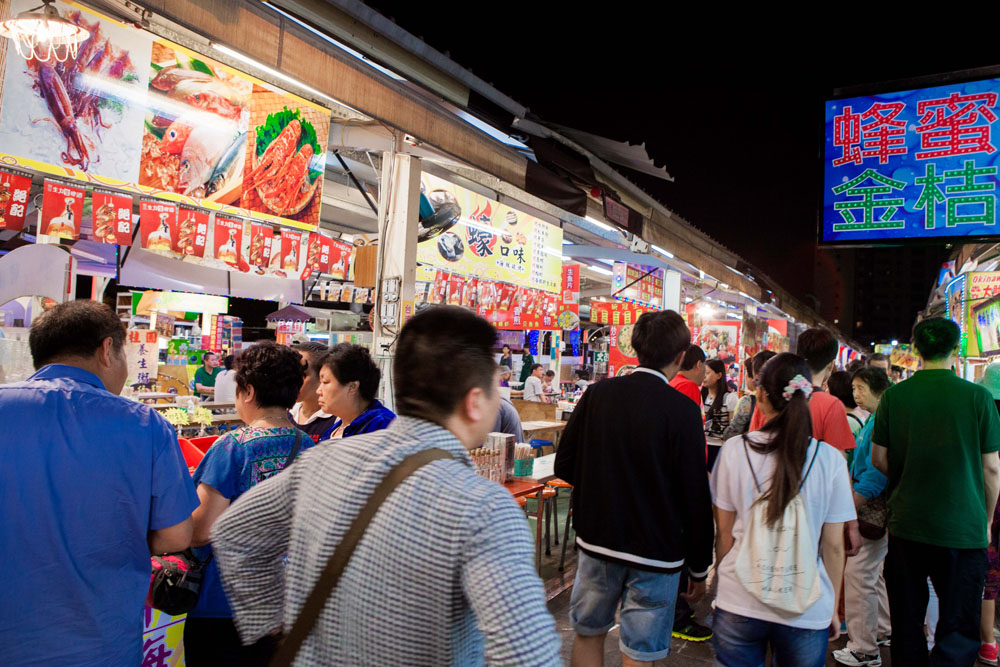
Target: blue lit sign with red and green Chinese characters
{"x": 916, "y": 164}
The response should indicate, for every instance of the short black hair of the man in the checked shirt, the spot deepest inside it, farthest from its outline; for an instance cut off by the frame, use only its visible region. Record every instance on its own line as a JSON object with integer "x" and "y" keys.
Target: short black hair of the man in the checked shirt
{"x": 436, "y": 338}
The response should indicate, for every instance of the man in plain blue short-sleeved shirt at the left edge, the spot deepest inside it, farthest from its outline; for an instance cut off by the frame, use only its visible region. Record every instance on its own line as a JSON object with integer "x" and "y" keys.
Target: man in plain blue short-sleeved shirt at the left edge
{"x": 91, "y": 484}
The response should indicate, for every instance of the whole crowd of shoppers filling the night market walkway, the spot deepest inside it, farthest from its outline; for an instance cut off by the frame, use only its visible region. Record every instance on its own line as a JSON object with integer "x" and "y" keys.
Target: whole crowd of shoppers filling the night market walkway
{"x": 363, "y": 535}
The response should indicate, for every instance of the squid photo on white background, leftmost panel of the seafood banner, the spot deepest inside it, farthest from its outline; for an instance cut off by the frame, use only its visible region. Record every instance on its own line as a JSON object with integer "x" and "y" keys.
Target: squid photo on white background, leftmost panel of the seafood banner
{"x": 80, "y": 114}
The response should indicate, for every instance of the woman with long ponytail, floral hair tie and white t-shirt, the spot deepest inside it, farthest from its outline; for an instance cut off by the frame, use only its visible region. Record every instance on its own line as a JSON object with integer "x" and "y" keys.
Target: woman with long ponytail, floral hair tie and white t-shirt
{"x": 779, "y": 483}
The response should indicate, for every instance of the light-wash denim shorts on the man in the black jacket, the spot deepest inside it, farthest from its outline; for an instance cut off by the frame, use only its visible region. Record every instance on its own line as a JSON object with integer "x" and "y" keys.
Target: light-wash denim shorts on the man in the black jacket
{"x": 646, "y": 600}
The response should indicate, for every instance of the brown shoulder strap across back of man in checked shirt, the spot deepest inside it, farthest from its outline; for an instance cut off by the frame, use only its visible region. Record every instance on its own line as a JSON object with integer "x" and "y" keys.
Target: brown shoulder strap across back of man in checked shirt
{"x": 328, "y": 579}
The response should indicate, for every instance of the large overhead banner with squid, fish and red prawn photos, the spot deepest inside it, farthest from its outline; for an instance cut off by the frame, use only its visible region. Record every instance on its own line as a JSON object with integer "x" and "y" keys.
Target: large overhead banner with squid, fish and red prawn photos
{"x": 143, "y": 114}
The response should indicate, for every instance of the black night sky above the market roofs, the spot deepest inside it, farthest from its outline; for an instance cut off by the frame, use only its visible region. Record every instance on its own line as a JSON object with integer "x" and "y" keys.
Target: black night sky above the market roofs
{"x": 732, "y": 107}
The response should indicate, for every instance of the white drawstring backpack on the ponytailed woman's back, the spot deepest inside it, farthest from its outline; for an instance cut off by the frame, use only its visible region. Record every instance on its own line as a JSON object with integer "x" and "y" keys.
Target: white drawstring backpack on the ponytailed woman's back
{"x": 777, "y": 564}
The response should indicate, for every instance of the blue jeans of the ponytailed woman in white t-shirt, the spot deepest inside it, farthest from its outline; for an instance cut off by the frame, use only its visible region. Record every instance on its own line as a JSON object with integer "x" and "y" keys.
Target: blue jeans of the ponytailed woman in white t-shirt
{"x": 742, "y": 642}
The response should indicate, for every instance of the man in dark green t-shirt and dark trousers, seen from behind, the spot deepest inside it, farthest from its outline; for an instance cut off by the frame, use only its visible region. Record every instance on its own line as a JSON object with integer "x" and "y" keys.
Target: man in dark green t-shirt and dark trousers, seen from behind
{"x": 936, "y": 437}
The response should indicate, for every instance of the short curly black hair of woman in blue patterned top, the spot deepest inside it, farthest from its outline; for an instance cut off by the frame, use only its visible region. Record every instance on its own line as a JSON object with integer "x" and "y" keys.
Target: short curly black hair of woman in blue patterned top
{"x": 274, "y": 371}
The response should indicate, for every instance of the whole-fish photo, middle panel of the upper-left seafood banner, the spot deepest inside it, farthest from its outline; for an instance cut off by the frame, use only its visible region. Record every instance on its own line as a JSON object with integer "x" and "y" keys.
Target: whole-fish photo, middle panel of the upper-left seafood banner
{"x": 195, "y": 132}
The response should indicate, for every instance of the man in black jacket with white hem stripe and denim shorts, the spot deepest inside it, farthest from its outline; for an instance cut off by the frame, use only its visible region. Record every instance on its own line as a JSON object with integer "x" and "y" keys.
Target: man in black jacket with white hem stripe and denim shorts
{"x": 634, "y": 452}
